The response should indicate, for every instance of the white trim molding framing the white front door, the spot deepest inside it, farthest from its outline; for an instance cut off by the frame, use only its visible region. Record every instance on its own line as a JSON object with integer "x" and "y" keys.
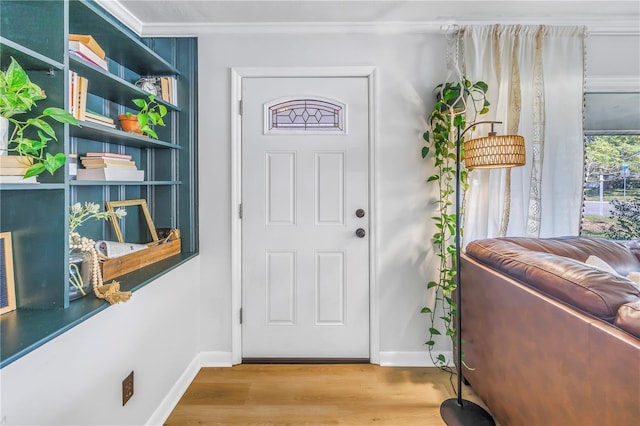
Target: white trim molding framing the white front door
{"x": 237, "y": 75}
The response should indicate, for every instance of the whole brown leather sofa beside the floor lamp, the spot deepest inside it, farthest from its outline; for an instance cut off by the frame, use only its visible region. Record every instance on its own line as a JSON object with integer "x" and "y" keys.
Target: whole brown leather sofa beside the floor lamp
{"x": 552, "y": 341}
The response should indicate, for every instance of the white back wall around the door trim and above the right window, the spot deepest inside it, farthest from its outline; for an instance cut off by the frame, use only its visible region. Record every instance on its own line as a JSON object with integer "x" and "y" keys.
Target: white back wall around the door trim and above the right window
{"x": 409, "y": 66}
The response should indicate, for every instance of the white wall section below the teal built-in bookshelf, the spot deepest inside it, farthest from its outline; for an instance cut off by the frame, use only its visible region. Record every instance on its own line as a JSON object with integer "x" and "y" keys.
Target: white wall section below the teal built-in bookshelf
{"x": 76, "y": 378}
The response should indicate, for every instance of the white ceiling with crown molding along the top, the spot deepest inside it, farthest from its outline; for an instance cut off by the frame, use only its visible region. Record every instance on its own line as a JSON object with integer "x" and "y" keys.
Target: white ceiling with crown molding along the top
{"x": 147, "y": 16}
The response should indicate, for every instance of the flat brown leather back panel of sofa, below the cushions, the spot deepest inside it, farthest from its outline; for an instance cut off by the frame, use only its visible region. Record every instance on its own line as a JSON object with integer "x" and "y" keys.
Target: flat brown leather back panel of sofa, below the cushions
{"x": 536, "y": 361}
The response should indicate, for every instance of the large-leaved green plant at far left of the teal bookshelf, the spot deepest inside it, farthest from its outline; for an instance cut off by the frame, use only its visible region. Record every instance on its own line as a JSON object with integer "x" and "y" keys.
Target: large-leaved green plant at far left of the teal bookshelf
{"x": 29, "y": 137}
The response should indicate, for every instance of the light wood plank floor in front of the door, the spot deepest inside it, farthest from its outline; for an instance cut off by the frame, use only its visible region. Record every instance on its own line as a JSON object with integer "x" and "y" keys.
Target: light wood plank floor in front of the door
{"x": 319, "y": 394}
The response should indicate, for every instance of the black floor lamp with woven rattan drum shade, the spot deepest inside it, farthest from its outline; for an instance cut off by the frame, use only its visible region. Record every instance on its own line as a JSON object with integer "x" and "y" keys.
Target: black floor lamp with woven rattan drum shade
{"x": 492, "y": 151}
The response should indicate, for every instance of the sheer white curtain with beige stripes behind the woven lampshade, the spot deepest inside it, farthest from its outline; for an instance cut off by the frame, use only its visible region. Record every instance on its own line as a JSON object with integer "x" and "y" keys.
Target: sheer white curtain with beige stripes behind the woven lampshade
{"x": 536, "y": 84}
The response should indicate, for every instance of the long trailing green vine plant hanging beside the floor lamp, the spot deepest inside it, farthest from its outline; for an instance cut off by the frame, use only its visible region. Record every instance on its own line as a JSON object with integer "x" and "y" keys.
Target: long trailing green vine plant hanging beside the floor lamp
{"x": 456, "y": 102}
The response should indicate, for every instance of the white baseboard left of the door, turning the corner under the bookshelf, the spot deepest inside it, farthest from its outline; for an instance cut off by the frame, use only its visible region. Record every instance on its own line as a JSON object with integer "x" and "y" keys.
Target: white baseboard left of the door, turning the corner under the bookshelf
{"x": 203, "y": 359}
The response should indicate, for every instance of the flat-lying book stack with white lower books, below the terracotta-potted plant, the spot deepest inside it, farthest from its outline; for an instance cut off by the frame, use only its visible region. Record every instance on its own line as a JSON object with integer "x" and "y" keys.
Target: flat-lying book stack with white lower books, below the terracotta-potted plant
{"x": 109, "y": 166}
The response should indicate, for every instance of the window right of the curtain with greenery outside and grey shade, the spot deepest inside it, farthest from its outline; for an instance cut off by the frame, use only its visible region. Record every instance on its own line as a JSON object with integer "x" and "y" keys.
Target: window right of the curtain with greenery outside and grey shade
{"x": 612, "y": 165}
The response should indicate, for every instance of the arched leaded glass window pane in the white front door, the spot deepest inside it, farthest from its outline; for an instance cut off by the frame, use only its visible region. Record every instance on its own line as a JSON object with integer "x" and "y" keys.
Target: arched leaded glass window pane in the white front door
{"x": 306, "y": 114}
